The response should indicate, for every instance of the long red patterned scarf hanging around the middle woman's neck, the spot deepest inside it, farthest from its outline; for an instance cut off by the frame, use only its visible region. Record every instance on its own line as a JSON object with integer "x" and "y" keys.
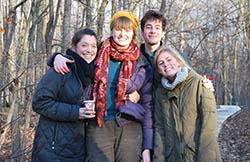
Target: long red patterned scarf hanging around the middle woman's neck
{"x": 128, "y": 58}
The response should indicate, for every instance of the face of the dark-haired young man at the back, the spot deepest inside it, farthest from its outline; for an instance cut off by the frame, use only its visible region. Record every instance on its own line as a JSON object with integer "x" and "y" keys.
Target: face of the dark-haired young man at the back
{"x": 153, "y": 32}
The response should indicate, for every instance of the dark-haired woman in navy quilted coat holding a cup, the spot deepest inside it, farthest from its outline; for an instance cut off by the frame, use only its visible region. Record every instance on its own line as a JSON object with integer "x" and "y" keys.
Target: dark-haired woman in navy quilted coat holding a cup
{"x": 60, "y": 134}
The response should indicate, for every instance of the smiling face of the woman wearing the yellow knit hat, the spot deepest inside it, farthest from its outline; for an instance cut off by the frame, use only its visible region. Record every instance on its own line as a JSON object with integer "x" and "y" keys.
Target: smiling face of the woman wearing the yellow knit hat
{"x": 122, "y": 37}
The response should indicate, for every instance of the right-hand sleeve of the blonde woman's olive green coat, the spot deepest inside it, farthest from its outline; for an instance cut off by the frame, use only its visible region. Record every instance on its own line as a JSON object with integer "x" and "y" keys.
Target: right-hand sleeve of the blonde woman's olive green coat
{"x": 208, "y": 148}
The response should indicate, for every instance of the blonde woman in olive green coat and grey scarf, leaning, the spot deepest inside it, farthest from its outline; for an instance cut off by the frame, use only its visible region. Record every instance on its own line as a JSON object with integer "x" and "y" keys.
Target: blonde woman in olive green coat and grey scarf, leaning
{"x": 185, "y": 113}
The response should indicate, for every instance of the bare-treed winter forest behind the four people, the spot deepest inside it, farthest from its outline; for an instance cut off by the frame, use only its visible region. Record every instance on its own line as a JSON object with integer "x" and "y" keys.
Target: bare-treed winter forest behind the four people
{"x": 214, "y": 34}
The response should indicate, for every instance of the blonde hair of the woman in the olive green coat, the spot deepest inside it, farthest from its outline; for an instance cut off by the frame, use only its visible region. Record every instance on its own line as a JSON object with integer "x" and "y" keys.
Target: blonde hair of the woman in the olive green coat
{"x": 174, "y": 53}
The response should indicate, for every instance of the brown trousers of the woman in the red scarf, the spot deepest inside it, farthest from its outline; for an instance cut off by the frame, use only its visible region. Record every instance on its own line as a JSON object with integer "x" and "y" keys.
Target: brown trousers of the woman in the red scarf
{"x": 111, "y": 143}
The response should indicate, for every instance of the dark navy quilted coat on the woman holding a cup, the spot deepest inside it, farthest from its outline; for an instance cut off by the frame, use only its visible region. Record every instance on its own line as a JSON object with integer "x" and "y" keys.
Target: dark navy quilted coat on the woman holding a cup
{"x": 60, "y": 135}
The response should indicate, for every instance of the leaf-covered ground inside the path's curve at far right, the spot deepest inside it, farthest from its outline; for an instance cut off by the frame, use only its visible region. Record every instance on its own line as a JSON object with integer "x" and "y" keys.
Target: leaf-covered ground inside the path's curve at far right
{"x": 234, "y": 137}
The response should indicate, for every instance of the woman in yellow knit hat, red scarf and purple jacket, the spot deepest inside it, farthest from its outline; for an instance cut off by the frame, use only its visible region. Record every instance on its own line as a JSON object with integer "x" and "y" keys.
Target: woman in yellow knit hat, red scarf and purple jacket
{"x": 123, "y": 129}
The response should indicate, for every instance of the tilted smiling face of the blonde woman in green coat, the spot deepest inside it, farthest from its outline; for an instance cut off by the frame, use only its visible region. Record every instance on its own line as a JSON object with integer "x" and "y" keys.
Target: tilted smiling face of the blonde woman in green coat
{"x": 167, "y": 65}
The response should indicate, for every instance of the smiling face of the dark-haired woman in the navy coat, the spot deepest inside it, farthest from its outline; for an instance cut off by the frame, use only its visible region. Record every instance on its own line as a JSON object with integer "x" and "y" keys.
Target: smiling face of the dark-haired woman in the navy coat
{"x": 86, "y": 48}
